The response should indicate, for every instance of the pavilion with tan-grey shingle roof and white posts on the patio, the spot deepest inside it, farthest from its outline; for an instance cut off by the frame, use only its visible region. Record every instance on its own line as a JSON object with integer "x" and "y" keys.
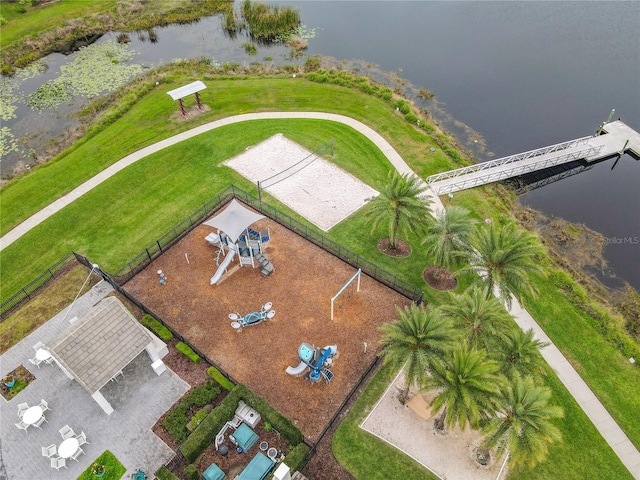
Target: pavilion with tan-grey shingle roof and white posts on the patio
{"x": 104, "y": 344}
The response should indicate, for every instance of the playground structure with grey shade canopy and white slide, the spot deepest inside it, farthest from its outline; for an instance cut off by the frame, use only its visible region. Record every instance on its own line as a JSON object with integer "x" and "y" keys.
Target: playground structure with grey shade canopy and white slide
{"x": 234, "y": 237}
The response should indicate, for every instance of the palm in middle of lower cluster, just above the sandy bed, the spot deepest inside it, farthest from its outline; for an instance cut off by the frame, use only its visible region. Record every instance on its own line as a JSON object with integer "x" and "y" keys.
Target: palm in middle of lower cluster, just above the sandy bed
{"x": 467, "y": 385}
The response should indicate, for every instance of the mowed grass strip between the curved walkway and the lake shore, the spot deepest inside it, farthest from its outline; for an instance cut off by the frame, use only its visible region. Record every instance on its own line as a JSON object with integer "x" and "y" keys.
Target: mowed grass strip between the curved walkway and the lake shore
{"x": 150, "y": 121}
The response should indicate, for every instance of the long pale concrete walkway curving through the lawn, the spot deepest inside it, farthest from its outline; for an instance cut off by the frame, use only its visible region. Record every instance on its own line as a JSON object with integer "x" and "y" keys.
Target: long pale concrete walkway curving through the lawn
{"x": 583, "y": 395}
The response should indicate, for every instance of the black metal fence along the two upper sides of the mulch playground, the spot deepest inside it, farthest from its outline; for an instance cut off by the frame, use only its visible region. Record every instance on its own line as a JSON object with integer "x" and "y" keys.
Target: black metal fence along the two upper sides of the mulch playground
{"x": 156, "y": 249}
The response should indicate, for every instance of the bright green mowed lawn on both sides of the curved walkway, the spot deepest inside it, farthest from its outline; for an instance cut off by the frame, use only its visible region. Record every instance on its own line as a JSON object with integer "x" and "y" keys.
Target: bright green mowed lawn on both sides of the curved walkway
{"x": 115, "y": 221}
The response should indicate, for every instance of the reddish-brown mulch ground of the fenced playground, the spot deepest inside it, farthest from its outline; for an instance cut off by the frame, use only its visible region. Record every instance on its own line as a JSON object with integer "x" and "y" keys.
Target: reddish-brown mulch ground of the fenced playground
{"x": 305, "y": 278}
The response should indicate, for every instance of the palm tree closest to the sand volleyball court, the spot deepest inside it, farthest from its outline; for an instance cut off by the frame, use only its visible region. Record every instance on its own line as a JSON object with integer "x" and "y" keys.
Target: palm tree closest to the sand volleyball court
{"x": 402, "y": 204}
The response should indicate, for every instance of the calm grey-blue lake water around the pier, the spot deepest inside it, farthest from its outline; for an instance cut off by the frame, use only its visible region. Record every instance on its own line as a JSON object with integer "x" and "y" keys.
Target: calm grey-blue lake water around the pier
{"x": 522, "y": 74}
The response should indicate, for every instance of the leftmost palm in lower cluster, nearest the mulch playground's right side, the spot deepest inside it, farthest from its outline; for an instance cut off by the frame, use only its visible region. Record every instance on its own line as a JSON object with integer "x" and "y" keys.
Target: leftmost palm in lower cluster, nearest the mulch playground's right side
{"x": 419, "y": 338}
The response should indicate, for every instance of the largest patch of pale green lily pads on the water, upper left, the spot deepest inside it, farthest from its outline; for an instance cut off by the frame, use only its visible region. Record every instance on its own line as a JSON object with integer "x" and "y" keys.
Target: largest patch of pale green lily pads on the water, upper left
{"x": 96, "y": 69}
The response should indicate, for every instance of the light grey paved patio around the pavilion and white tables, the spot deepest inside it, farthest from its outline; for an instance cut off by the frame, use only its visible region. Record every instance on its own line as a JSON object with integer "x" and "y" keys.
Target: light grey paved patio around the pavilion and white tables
{"x": 139, "y": 399}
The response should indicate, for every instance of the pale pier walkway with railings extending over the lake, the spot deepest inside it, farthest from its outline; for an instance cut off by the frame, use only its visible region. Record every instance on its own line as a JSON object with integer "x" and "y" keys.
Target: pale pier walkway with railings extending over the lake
{"x": 616, "y": 138}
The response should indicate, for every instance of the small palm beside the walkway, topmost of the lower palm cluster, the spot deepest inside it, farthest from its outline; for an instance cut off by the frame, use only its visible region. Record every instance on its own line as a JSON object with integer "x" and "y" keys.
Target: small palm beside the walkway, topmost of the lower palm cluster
{"x": 482, "y": 317}
